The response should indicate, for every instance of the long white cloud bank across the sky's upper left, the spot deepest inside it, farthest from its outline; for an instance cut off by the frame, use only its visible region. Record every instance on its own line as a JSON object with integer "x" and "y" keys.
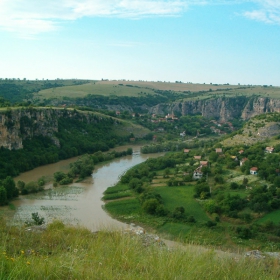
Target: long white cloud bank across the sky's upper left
{"x": 30, "y": 17}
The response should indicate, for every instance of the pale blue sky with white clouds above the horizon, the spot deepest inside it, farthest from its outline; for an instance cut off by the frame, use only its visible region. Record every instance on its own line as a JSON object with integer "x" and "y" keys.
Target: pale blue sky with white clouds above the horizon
{"x": 197, "y": 41}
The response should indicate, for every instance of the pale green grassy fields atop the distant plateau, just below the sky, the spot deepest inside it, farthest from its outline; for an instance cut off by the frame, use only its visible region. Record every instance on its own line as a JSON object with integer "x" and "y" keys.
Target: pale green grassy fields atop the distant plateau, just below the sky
{"x": 113, "y": 88}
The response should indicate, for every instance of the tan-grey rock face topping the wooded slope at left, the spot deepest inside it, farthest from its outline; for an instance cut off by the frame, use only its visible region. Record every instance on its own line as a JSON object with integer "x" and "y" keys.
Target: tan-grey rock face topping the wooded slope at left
{"x": 20, "y": 124}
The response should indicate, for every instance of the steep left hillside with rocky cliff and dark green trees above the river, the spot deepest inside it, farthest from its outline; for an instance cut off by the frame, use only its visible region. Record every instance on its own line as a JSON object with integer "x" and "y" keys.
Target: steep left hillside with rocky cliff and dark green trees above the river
{"x": 31, "y": 137}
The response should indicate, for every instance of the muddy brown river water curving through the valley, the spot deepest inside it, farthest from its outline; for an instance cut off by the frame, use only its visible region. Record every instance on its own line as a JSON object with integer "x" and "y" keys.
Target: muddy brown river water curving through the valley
{"x": 79, "y": 203}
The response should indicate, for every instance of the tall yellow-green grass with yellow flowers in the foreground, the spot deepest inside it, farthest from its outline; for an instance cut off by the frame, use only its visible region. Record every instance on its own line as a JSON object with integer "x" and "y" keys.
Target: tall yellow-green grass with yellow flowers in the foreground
{"x": 62, "y": 252}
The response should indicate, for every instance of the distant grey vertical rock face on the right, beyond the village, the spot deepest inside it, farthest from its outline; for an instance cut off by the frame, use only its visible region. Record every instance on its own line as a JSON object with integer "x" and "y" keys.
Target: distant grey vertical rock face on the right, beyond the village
{"x": 222, "y": 108}
